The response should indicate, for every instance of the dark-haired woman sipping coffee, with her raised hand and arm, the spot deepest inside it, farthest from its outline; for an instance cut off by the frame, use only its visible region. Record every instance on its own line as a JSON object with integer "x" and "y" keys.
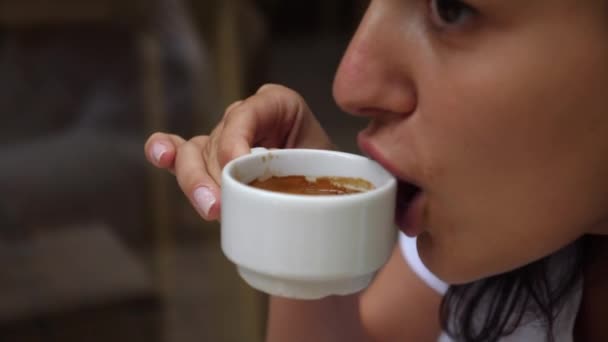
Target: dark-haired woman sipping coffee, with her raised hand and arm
{"x": 492, "y": 115}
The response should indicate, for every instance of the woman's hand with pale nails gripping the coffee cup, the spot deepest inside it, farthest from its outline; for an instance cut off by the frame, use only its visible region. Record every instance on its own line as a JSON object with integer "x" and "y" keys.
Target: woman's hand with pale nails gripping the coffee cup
{"x": 275, "y": 117}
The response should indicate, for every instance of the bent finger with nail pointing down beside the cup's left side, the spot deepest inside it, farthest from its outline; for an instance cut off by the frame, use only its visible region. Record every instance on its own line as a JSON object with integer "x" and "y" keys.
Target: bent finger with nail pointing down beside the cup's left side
{"x": 195, "y": 181}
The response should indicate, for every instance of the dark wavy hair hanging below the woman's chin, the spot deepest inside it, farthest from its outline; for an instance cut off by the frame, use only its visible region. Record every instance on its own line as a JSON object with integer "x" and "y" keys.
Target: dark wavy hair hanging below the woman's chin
{"x": 494, "y": 307}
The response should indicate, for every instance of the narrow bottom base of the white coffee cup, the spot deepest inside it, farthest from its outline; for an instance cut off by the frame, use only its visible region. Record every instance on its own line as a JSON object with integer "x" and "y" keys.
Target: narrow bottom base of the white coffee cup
{"x": 303, "y": 289}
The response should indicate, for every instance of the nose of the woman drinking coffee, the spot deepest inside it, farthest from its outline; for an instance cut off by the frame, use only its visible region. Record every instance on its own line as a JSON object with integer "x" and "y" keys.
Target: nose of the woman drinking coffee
{"x": 373, "y": 77}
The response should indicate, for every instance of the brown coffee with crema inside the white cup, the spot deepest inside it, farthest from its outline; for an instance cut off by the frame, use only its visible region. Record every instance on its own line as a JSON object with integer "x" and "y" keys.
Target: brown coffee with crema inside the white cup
{"x": 302, "y": 185}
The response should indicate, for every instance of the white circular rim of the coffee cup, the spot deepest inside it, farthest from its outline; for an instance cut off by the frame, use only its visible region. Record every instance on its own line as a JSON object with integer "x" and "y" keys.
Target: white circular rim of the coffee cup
{"x": 227, "y": 176}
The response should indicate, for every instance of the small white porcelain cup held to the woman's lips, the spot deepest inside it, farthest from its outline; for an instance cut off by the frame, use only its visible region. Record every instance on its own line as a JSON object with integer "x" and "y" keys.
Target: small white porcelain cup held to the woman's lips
{"x": 306, "y": 246}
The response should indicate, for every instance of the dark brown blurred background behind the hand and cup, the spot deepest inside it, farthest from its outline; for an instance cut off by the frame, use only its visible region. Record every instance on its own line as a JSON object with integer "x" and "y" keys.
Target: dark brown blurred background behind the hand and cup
{"x": 95, "y": 245}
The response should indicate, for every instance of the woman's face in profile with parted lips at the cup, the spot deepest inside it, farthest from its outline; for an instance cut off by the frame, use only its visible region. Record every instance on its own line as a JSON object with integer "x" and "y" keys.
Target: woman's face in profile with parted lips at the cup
{"x": 498, "y": 111}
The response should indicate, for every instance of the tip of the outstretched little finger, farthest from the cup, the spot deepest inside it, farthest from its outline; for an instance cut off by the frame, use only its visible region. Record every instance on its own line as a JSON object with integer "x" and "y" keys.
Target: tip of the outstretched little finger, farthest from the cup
{"x": 160, "y": 149}
